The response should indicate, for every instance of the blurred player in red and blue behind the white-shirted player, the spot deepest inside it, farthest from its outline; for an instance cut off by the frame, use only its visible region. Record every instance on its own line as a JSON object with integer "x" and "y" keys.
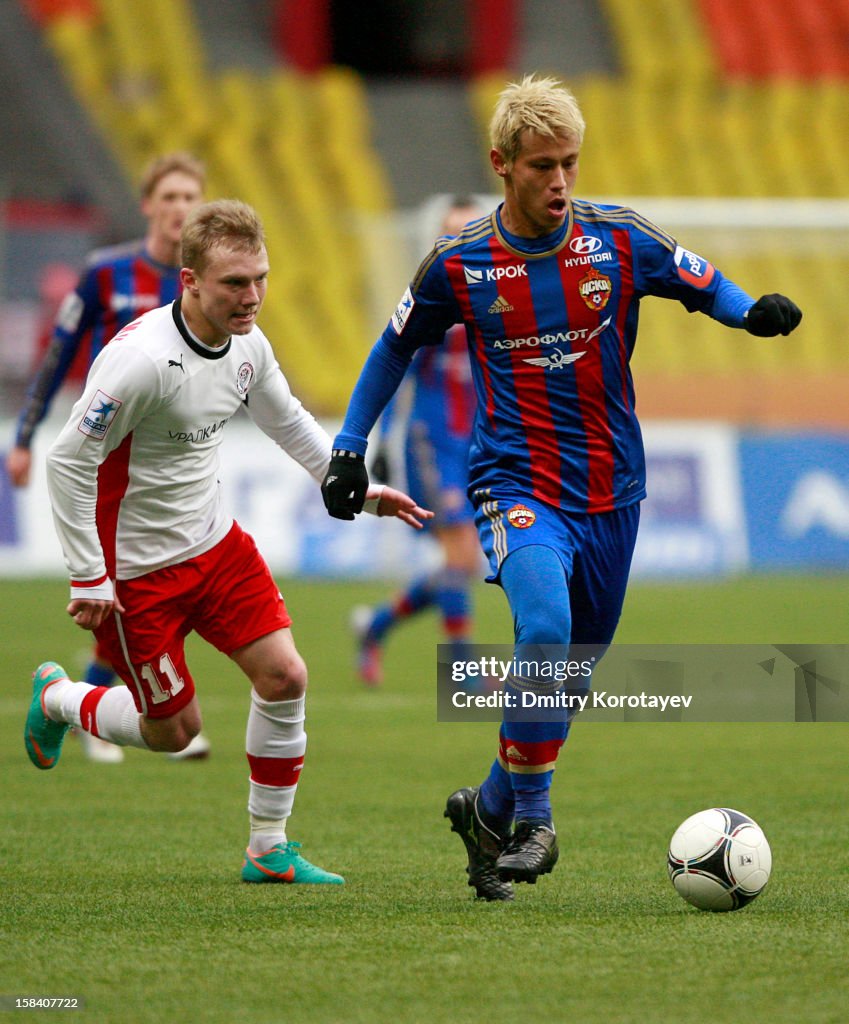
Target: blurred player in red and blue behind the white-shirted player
{"x": 119, "y": 284}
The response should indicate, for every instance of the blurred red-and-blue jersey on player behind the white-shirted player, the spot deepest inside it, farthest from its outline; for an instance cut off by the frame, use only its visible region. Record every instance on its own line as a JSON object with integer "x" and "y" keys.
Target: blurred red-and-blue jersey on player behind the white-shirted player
{"x": 119, "y": 284}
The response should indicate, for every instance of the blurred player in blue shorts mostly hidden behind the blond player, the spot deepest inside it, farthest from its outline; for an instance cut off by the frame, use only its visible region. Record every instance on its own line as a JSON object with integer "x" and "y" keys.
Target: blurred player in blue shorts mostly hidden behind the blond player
{"x": 438, "y": 433}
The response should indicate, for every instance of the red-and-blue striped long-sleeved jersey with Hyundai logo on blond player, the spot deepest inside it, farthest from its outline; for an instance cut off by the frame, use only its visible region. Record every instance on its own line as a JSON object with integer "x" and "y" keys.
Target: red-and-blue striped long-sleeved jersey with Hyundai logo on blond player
{"x": 550, "y": 328}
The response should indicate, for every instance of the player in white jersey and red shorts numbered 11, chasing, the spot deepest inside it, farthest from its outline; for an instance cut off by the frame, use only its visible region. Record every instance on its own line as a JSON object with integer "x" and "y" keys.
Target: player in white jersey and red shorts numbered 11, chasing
{"x": 153, "y": 556}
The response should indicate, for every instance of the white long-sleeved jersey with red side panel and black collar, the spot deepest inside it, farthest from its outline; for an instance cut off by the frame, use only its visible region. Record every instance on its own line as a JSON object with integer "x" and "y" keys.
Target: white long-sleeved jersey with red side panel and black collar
{"x": 134, "y": 477}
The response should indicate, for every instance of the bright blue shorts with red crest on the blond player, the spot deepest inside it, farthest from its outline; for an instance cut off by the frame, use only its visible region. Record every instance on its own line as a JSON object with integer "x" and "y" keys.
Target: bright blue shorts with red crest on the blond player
{"x": 596, "y": 551}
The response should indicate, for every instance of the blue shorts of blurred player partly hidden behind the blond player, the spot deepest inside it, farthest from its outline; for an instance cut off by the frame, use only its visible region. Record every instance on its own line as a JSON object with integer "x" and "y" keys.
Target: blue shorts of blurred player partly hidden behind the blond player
{"x": 438, "y": 475}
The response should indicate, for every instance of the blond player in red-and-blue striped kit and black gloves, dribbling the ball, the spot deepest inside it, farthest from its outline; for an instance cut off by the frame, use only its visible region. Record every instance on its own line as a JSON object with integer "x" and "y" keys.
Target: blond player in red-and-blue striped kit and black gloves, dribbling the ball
{"x": 548, "y": 288}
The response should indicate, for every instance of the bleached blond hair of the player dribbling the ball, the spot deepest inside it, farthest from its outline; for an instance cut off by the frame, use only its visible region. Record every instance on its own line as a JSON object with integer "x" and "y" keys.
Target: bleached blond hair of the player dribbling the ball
{"x": 540, "y": 105}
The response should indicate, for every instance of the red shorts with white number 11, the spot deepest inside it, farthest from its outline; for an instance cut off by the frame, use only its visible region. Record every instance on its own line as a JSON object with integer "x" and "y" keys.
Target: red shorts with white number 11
{"x": 228, "y": 596}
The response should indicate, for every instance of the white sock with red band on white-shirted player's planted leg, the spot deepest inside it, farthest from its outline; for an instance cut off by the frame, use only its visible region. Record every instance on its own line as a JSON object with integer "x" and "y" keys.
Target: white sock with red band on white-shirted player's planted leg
{"x": 276, "y": 745}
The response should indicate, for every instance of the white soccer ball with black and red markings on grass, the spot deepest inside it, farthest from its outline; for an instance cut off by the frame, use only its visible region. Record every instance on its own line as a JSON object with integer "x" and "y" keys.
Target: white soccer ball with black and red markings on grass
{"x": 719, "y": 860}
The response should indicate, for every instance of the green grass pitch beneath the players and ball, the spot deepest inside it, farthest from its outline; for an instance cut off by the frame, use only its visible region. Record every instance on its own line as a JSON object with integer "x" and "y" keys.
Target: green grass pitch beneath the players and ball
{"x": 120, "y": 884}
